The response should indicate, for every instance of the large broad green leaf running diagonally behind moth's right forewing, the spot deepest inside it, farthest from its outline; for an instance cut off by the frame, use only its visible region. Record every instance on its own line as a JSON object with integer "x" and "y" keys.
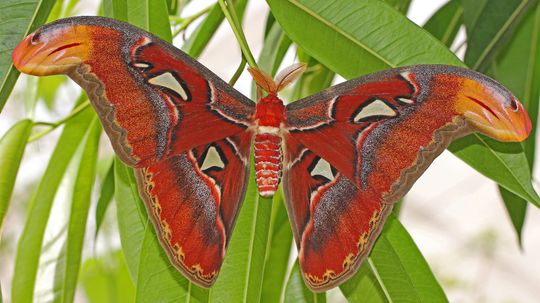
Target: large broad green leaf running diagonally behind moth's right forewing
{"x": 373, "y": 36}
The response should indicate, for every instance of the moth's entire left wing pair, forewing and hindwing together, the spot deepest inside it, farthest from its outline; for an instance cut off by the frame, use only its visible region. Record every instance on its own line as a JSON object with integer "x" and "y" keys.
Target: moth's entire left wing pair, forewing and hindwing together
{"x": 183, "y": 128}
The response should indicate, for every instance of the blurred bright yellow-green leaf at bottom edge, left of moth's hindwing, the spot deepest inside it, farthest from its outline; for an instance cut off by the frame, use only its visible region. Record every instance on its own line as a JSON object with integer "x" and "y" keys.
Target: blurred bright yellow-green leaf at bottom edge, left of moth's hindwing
{"x": 106, "y": 279}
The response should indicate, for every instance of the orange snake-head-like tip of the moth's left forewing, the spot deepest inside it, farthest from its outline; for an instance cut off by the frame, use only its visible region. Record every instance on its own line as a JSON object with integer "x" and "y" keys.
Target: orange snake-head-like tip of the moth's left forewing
{"x": 56, "y": 48}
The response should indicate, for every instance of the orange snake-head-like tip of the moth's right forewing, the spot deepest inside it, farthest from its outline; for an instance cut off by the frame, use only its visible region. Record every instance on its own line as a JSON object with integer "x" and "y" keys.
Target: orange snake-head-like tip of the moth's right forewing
{"x": 492, "y": 110}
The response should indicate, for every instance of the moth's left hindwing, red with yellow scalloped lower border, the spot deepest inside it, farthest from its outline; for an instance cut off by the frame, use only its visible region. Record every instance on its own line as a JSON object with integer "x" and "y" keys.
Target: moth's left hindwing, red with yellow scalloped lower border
{"x": 193, "y": 199}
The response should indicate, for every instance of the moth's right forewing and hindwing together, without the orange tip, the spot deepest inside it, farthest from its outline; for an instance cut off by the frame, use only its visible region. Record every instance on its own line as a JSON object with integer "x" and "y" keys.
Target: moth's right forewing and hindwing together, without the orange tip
{"x": 352, "y": 151}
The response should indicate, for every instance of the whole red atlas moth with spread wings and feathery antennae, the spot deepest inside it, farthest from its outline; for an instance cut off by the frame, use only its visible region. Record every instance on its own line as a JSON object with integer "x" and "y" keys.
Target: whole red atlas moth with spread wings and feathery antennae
{"x": 343, "y": 156}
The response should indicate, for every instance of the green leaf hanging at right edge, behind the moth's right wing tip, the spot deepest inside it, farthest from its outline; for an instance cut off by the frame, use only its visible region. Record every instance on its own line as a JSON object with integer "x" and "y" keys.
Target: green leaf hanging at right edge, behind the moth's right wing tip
{"x": 518, "y": 68}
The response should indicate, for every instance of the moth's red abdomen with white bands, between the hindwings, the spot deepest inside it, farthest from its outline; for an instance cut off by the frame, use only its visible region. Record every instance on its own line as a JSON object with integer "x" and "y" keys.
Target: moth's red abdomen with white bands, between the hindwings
{"x": 268, "y": 162}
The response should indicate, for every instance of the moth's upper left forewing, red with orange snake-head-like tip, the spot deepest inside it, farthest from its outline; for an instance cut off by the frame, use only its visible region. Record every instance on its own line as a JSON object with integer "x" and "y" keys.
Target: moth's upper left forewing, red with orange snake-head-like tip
{"x": 154, "y": 100}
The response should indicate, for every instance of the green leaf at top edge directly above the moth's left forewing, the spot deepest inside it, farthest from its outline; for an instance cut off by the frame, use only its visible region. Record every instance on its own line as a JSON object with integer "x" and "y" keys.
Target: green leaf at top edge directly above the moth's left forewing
{"x": 151, "y": 15}
